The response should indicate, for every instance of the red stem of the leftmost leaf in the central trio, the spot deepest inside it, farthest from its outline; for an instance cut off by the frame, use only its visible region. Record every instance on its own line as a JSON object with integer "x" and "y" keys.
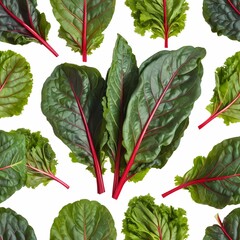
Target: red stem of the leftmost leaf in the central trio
{"x": 97, "y": 166}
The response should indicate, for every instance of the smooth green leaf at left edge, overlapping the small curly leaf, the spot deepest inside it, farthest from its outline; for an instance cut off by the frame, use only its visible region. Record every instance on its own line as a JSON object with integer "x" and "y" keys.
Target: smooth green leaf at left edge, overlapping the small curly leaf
{"x": 12, "y": 164}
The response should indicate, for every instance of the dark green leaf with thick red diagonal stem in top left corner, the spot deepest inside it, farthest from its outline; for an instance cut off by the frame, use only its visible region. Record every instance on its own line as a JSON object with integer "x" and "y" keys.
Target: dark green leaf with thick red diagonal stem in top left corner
{"x": 21, "y": 23}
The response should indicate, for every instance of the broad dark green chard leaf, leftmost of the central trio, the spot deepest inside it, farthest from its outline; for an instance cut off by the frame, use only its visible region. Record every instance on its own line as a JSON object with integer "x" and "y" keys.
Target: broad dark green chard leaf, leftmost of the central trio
{"x": 71, "y": 101}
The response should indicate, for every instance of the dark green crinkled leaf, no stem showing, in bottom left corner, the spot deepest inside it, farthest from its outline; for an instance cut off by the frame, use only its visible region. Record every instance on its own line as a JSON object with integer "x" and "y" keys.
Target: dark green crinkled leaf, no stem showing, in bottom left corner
{"x": 14, "y": 226}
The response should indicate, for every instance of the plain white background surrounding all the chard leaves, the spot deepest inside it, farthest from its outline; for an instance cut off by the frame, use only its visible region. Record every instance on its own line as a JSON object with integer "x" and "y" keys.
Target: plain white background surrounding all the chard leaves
{"x": 41, "y": 206}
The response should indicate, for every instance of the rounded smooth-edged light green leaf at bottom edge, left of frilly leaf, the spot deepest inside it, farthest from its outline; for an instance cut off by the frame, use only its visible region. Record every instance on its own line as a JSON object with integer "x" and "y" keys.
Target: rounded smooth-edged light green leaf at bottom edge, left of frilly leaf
{"x": 83, "y": 219}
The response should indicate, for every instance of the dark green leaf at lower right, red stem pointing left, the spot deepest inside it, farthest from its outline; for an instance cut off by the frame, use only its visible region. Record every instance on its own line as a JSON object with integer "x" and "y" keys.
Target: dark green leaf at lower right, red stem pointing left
{"x": 214, "y": 180}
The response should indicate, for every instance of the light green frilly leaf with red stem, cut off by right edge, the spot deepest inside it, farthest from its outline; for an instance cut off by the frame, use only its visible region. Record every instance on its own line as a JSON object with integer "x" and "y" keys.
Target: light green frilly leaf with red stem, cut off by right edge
{"x": 225, "y": 101}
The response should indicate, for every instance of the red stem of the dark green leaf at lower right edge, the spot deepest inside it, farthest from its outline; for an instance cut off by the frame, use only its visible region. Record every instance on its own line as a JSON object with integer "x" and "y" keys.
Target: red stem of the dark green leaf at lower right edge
{"x": 197, "y": 181}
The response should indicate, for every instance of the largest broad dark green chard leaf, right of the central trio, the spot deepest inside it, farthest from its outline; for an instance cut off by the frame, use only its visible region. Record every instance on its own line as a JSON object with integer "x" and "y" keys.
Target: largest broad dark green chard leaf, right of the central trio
{"x": 159, "y": 108}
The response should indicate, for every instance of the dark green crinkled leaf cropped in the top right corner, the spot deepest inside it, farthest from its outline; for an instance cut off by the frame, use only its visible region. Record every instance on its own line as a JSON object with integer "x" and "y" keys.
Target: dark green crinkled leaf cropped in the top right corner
{"x": 223, "y": 17}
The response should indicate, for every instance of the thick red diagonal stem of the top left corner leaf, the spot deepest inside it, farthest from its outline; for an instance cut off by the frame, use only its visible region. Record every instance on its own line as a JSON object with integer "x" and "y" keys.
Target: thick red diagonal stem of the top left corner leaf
{"x": 29, "y": 29}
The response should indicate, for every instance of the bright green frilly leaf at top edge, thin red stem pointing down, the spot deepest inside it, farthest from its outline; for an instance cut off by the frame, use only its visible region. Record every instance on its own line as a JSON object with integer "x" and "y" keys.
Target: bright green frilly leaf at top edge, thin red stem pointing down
{"x": 163, "y": 18}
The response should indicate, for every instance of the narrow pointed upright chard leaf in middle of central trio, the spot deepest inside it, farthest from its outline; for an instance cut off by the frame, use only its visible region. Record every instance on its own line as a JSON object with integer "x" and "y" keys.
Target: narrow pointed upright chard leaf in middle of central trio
{"x": 122, "y": 80}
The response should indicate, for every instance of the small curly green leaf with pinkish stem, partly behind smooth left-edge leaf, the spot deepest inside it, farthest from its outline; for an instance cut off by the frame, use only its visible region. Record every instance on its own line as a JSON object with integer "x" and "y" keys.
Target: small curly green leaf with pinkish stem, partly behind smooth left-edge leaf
{"x": 41, "y": 162}
